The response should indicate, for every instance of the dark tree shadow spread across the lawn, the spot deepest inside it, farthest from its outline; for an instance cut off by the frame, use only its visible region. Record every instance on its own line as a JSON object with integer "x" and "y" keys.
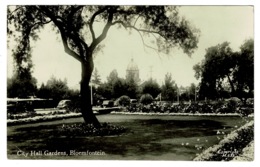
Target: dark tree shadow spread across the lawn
{"x": 142, "y": 137}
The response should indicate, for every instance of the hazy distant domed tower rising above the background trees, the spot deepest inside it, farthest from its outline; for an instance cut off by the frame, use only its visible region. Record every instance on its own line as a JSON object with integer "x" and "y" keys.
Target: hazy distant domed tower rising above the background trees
{"x": 132, "y": 71}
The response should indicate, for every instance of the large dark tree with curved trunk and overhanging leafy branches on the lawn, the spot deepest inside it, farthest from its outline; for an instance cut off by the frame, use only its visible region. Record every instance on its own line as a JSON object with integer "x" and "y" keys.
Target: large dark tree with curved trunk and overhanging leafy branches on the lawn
{"x": 75, "y": 25}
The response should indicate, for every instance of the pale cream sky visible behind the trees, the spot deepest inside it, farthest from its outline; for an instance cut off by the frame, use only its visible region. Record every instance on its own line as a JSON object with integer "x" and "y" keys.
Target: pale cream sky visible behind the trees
{"x": 217, "y": 24}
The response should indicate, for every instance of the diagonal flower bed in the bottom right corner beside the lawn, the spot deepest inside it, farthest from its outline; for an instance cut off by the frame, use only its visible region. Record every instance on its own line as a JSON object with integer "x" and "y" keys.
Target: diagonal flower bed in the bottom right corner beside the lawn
{"x": 231, "y": 146}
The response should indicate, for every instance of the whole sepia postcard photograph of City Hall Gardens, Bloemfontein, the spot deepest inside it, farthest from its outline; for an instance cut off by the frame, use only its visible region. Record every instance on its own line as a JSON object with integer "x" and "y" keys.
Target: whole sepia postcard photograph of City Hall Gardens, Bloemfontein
{"x": 130, "y": 82}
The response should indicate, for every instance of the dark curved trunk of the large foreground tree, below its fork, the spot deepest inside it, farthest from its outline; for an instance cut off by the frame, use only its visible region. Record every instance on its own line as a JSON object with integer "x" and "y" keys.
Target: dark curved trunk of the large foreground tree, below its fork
{"x": 85, "y": 96}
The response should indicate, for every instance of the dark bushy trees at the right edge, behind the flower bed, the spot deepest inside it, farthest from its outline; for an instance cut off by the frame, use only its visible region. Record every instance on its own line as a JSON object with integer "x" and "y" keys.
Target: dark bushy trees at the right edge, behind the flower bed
{"x": 224, "y": 68}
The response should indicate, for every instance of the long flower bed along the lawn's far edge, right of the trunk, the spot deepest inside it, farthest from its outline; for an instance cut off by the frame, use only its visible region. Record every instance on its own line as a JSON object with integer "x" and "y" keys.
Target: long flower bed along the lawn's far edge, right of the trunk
{"x": 216, "y": 108}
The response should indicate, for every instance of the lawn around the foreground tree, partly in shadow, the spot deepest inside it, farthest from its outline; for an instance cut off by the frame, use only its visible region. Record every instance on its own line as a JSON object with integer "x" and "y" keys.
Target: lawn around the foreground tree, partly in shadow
{"x": 147, "y": 138}
